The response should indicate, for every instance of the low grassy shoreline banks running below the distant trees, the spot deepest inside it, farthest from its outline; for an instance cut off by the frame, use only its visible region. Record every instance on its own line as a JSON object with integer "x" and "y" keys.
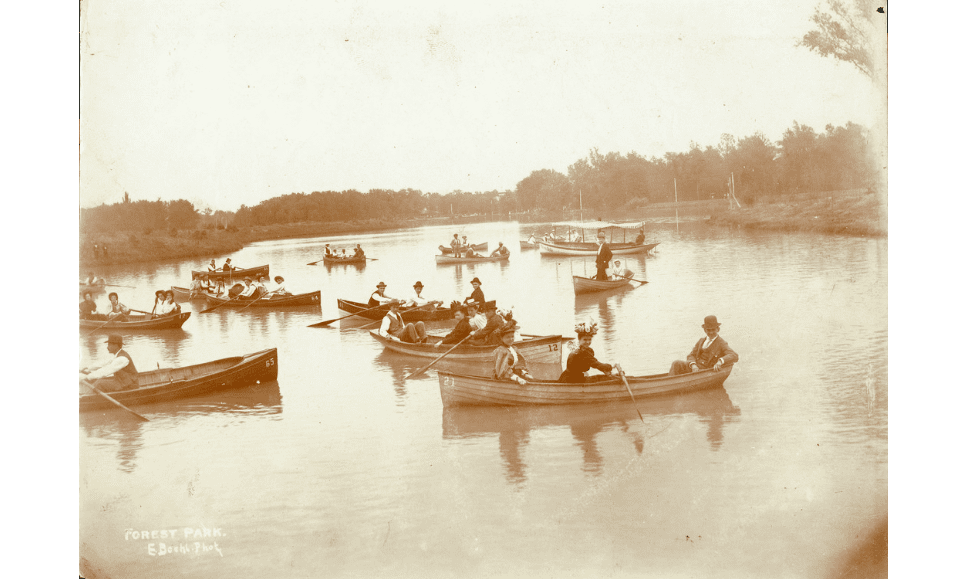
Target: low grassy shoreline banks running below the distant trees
{"x": 852, "y": 213}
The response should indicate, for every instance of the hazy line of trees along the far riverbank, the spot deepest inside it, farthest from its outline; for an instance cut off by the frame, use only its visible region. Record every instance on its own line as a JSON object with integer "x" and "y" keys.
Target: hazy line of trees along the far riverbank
{"x": 802, "y": 161}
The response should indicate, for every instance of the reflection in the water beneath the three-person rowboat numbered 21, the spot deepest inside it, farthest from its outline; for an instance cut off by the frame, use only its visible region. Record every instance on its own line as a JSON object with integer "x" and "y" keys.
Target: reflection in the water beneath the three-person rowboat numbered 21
{"x": 514, "y": 425}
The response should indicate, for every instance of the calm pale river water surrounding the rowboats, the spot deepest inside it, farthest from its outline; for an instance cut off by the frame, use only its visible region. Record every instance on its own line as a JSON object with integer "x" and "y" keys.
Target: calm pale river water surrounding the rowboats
{"x": 341, "y": 468}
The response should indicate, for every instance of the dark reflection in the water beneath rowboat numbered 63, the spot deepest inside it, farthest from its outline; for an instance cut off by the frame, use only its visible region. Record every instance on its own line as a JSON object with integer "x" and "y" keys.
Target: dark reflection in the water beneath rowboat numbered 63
{"x": 116, "y": 425}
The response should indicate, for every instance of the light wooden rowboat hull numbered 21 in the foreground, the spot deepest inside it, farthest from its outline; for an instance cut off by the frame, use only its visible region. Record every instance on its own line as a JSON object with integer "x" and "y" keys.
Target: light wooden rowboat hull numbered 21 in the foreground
{"x": 464, "y": 390}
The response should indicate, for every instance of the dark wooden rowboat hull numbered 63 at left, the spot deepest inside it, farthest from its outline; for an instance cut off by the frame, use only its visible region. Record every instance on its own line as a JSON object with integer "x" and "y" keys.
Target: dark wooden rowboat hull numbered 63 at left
{"x": 175, "y": 383}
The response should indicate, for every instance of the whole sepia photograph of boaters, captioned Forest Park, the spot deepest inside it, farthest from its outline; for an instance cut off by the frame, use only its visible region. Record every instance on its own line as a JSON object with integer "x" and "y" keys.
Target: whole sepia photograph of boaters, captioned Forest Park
{"x": 514, "y": 289}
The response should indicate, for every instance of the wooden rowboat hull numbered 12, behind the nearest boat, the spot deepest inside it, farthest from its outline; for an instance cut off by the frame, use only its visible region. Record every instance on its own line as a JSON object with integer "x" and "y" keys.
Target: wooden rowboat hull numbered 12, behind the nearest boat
{"x": 539, "y": 349}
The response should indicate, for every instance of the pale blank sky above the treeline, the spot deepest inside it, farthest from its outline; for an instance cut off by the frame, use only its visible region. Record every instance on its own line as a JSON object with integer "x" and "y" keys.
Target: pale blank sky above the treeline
{"x": 231, "y": 102}
